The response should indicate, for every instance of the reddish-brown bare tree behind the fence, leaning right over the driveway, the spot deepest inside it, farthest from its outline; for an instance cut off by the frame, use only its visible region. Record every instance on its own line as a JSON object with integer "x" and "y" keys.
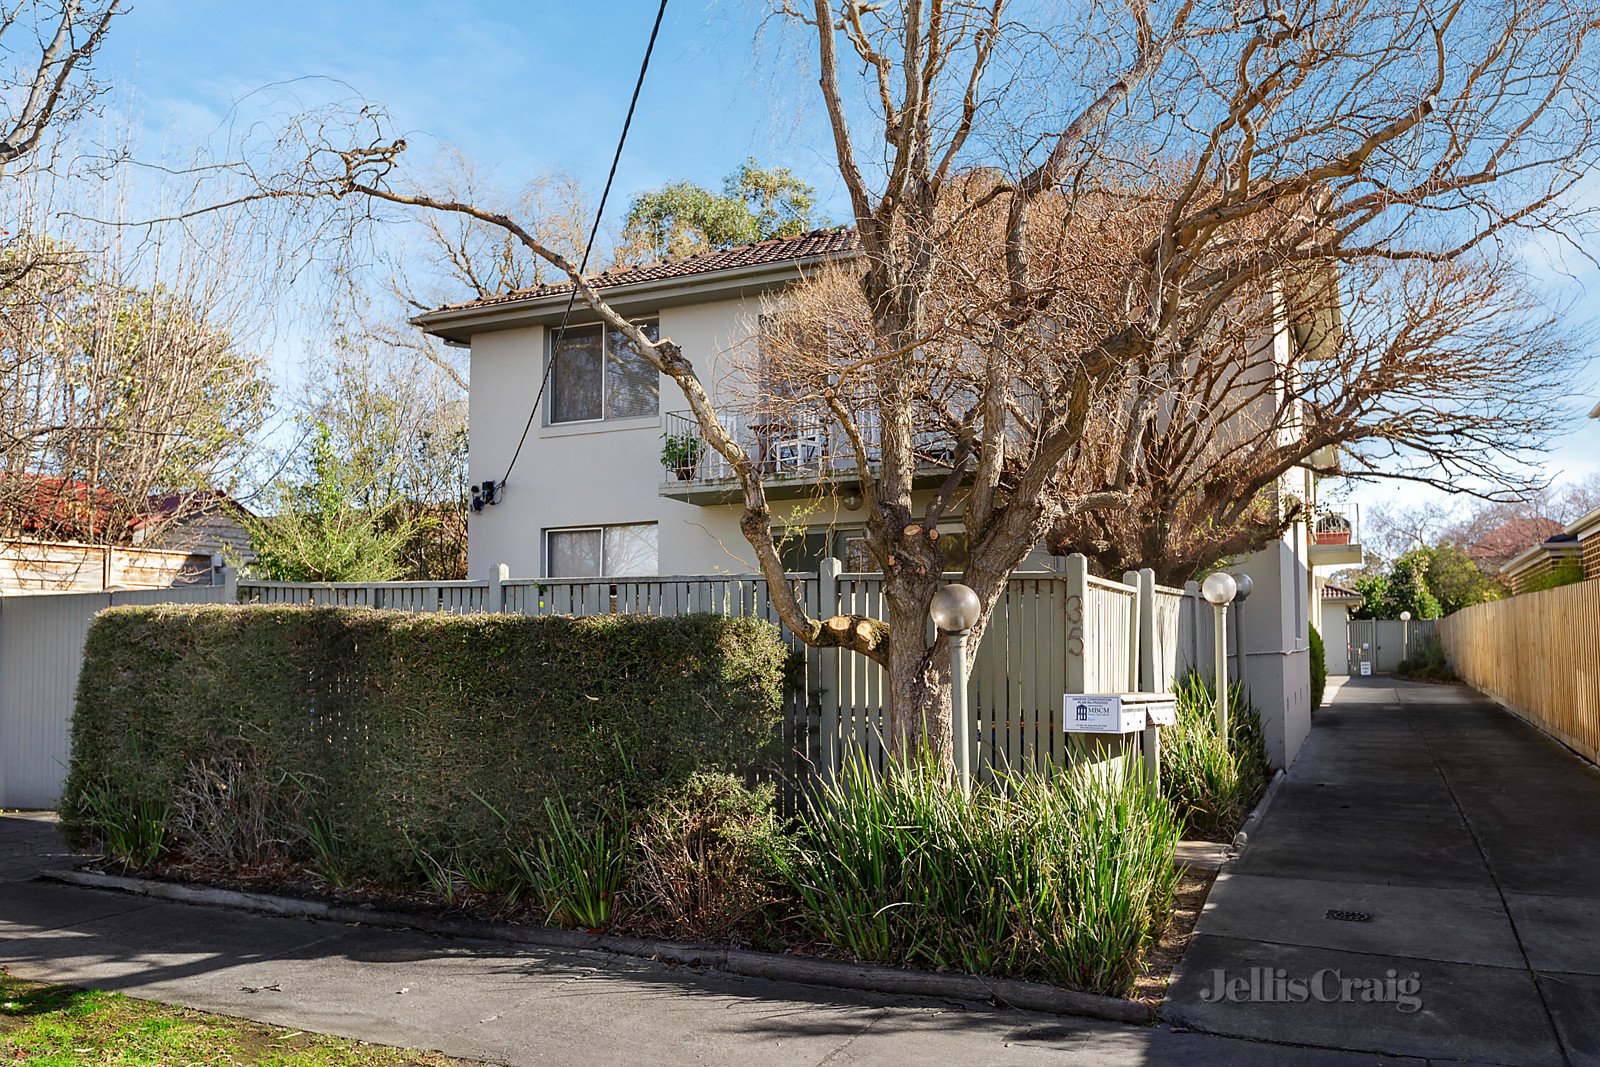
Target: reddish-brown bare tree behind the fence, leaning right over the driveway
{"x": 1444, "y": 374}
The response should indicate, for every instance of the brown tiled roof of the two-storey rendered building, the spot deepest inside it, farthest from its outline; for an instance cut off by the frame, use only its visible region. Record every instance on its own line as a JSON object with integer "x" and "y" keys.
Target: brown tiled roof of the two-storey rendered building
{"x": 740, "y": 262}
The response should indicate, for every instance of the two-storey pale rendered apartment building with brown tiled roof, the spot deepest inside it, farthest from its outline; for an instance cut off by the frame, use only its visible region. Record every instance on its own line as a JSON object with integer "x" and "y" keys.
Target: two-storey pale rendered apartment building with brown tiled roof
{"x": 606, "y": 474}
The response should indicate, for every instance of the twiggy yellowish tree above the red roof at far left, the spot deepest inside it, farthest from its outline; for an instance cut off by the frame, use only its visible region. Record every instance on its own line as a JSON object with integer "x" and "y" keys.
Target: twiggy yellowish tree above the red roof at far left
{"x": 124, "y": 372}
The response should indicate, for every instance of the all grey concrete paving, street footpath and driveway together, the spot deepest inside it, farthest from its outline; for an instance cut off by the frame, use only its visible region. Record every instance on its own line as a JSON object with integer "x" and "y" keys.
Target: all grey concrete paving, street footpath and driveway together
{"x": 1470, "y": 841}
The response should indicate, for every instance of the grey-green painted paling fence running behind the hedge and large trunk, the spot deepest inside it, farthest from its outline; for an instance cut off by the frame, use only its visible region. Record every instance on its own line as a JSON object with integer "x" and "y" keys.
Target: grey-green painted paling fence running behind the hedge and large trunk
{"x": 1054, "y": 633}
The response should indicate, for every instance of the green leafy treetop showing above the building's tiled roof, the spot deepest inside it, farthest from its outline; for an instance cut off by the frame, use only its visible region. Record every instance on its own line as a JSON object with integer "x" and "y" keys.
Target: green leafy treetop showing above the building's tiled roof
{"x": 682, "y": 218}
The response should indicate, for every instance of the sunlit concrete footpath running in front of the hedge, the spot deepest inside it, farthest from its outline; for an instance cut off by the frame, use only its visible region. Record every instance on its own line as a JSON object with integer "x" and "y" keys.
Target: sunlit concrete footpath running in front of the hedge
{"x": 511, "y": 1005}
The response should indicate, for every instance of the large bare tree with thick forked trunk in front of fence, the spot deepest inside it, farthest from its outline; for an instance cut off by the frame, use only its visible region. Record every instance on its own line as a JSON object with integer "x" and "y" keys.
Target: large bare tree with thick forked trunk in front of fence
{"x": 1265, "y": 151}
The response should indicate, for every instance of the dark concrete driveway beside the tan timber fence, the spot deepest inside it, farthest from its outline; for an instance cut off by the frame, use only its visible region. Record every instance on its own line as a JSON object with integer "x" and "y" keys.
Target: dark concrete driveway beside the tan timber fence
{"x": 1423, "y": 833}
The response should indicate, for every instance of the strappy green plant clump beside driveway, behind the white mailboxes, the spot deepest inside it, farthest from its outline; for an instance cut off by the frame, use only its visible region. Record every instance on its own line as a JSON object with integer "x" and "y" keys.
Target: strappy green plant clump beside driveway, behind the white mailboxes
{"x": 1210, "y": 785}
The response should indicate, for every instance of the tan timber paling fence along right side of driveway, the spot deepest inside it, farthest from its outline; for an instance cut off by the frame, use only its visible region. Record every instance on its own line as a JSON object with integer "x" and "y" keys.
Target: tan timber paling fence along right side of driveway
{"x": 1538, "y": 655}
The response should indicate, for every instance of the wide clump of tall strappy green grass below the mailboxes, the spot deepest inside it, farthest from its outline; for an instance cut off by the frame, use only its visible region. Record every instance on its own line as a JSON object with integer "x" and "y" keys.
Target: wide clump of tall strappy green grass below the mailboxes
{"x": 1063, "y": 879}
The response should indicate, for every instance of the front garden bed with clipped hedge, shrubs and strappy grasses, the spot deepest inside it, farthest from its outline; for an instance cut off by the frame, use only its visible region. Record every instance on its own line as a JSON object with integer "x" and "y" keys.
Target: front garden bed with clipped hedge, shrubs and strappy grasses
{"x": 476, "y": 769}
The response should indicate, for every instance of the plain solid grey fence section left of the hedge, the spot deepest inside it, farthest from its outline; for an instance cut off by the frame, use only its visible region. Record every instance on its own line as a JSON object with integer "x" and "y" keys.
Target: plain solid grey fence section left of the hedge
{"x": 41, "y": 655}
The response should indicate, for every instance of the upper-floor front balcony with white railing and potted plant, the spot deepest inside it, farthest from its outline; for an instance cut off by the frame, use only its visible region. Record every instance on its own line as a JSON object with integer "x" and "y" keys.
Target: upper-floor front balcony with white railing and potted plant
{"x": 796, "y": 452}
